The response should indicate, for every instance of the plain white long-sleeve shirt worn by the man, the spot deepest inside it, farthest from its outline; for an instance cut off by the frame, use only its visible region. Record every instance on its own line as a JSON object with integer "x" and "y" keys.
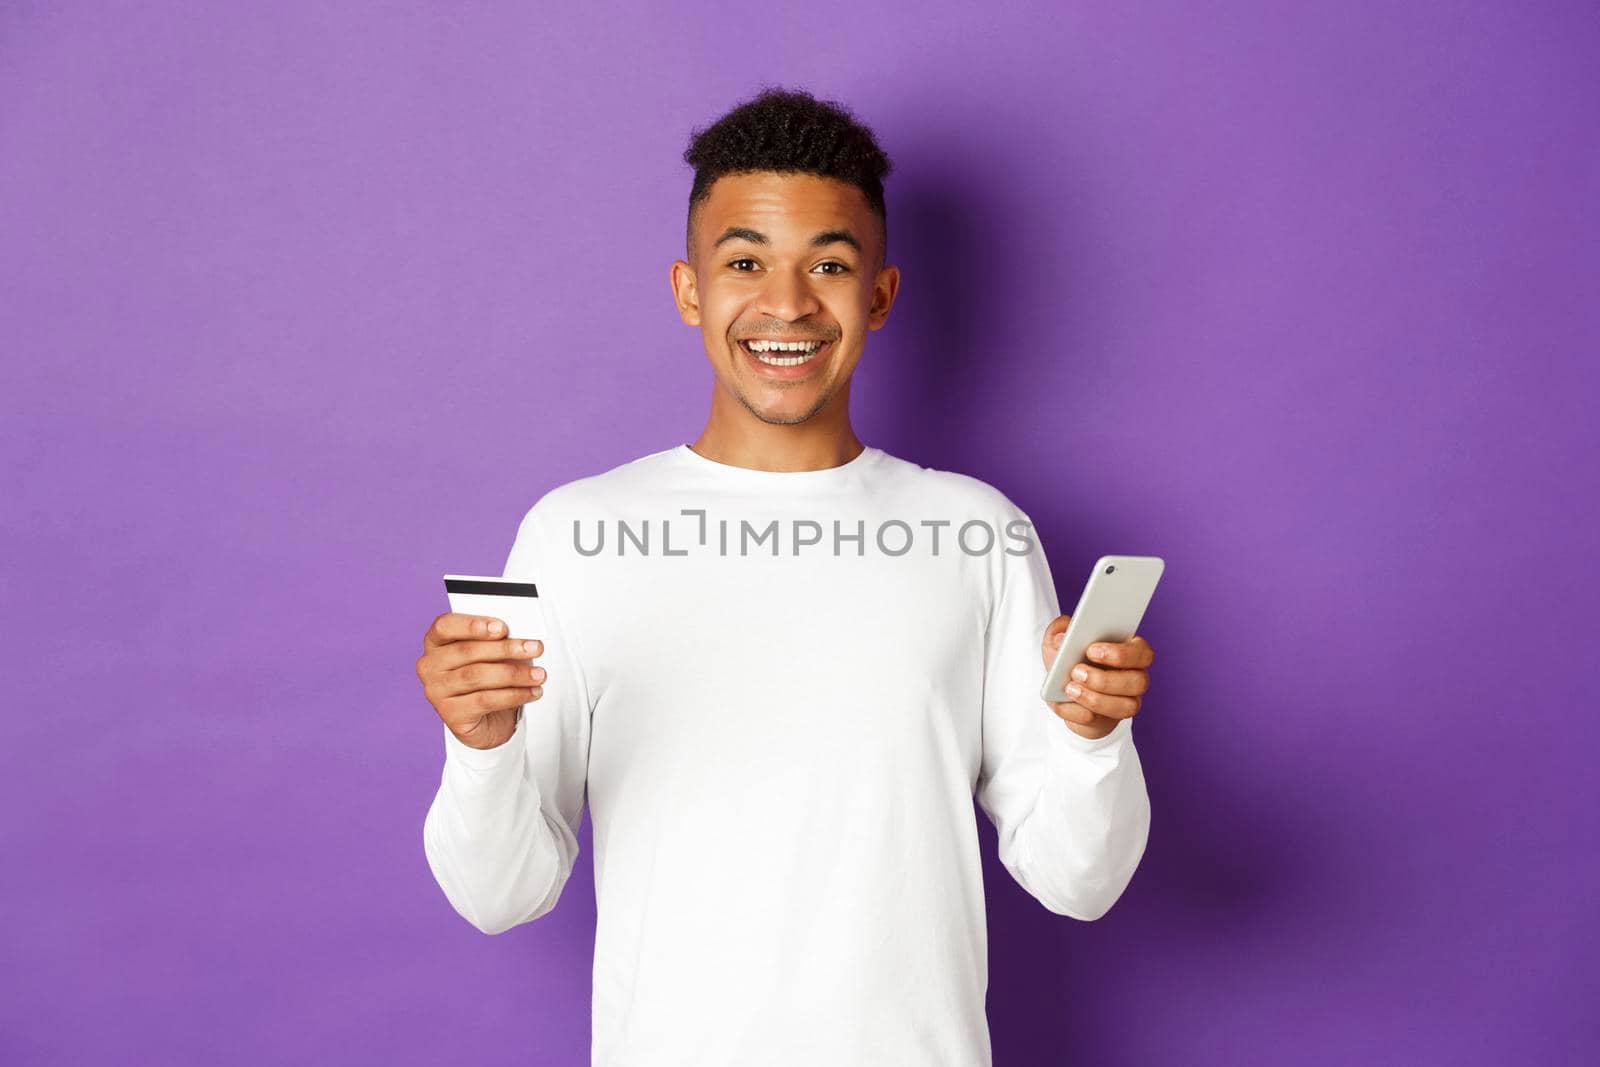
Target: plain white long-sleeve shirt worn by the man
{"x": 782, "y": 692}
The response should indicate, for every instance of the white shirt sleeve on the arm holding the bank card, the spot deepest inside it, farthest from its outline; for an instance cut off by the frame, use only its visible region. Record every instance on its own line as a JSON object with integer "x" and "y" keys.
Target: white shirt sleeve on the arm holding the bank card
{"x": 502, "y": 834}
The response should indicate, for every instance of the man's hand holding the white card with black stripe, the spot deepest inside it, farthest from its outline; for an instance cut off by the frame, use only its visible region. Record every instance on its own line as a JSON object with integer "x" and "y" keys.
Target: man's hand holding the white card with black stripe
{"x": 478, "y": 679}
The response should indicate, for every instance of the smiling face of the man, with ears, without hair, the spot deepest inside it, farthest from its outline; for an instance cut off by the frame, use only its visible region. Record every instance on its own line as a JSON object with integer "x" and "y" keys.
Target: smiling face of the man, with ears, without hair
{"x": 785, "y": 258}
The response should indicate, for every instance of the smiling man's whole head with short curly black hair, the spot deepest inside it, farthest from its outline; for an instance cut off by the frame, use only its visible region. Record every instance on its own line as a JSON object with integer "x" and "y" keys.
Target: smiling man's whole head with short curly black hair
{"x": 788, "y": 239}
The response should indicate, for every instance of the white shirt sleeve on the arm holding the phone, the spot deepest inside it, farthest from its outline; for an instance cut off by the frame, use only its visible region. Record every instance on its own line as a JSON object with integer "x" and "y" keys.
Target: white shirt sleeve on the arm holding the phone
{"x": 1073, "y": 815}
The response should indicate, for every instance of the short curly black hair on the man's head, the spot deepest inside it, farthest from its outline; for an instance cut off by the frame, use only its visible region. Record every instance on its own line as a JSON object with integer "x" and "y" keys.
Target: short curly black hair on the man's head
{"x": 790, "y": 132}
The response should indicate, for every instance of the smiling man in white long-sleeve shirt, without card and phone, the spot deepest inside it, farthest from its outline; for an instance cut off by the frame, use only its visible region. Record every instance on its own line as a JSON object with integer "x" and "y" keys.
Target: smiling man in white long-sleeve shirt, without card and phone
{"x": 780, "y": 668}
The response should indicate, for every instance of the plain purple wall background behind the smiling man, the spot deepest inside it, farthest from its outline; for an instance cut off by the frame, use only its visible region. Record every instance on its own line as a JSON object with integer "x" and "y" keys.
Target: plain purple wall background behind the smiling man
{"x": 305, "y": 306}
